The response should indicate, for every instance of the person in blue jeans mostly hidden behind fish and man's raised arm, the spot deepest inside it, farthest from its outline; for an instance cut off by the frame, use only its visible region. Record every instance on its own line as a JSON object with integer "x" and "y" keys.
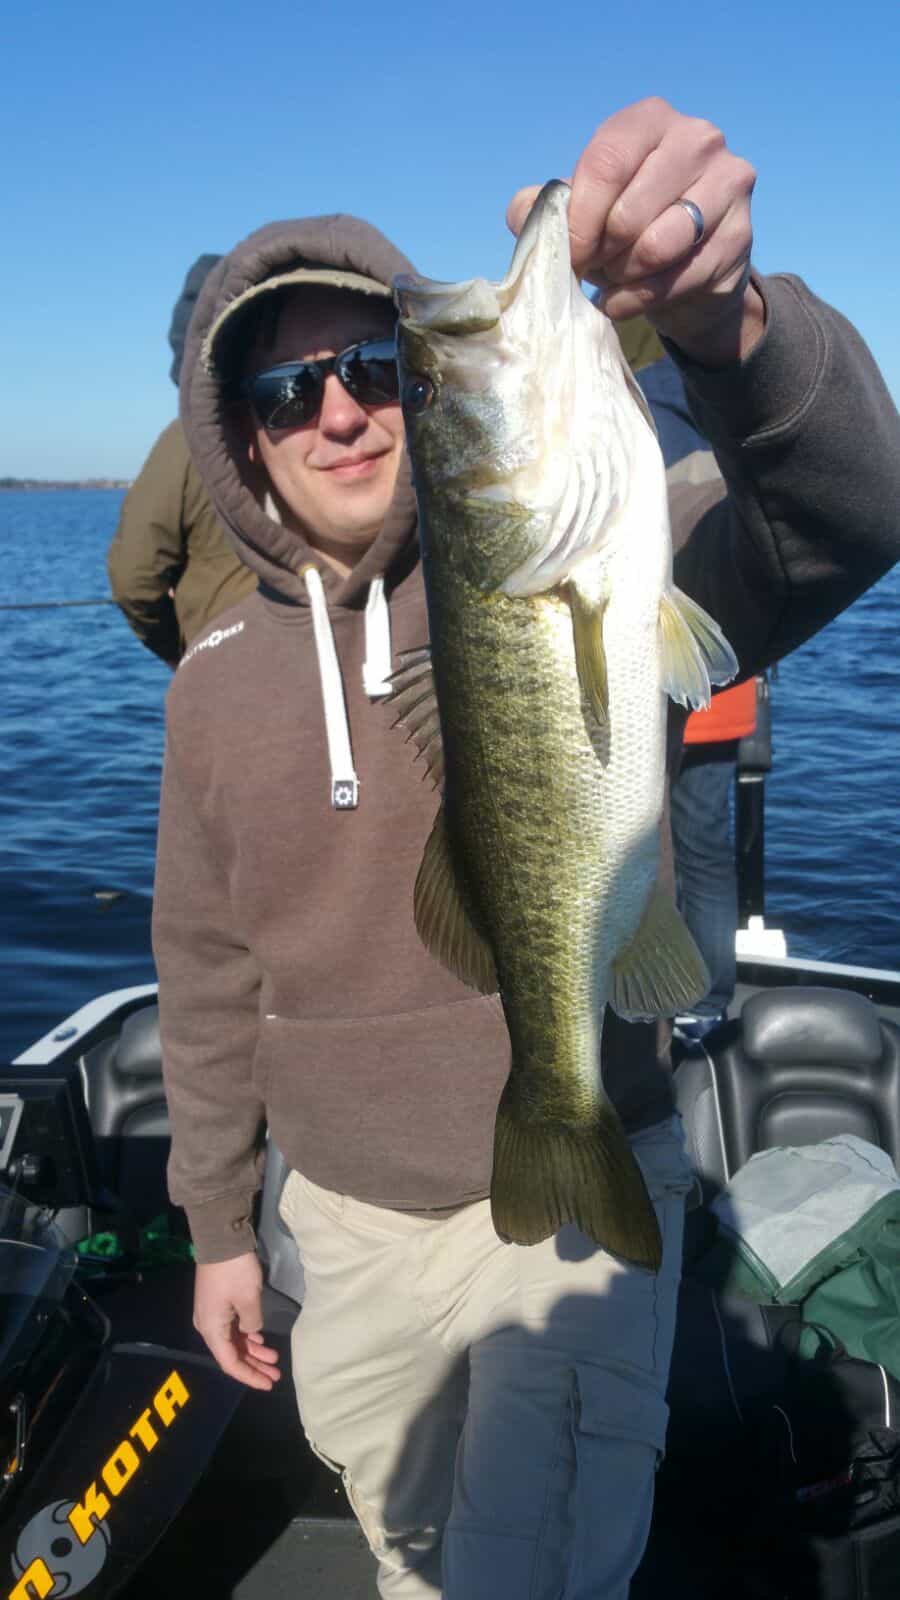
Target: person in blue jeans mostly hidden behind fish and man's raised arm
{"x": 707, "y": 887}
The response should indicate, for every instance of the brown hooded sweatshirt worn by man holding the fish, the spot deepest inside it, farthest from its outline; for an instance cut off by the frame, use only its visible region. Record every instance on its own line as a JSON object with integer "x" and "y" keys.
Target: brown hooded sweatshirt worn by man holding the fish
{"x": 294, "y": 988}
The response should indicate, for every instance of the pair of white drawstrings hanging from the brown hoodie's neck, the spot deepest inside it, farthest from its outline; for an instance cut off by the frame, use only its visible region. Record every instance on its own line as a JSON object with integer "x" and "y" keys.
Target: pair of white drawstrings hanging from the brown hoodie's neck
{"x": 377, "y": 668}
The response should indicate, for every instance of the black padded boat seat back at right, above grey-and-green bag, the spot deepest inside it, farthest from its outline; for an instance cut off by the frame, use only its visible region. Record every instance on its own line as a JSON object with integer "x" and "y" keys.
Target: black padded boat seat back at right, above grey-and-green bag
{"x": 802, "y": 1065}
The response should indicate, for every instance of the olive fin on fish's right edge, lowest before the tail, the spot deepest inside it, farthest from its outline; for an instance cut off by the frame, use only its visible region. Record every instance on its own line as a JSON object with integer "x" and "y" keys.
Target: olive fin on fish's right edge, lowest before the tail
{"x": 661, "y": 972}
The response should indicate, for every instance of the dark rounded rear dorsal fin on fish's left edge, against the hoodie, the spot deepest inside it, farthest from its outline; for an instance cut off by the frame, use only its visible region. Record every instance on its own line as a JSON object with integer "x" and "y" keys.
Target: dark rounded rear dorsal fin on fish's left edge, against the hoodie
{"x": 444, "y": 921}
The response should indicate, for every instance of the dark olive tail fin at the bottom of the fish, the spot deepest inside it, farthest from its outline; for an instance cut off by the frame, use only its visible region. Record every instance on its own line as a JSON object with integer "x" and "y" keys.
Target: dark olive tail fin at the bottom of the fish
{"x": 550, "y": 1175}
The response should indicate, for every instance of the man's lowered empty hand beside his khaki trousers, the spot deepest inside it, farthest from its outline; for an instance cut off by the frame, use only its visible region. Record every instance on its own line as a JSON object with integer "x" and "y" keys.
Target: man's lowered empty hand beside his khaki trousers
{"x": 228, "y": 1316}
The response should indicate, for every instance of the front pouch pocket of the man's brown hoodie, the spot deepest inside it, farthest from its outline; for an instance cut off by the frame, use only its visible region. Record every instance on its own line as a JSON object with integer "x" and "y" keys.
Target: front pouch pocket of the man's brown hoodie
{"x": 392, "y": 1110}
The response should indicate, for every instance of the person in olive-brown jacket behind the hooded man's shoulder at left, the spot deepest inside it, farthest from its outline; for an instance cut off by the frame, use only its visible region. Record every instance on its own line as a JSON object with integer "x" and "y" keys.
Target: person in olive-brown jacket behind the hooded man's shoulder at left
{"x": 171, "y": 566}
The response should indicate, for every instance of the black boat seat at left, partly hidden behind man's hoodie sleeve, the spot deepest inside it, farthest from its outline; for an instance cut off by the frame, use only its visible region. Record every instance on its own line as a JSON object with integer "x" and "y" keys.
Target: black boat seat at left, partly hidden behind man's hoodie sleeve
{"x": 126, "y": 1098}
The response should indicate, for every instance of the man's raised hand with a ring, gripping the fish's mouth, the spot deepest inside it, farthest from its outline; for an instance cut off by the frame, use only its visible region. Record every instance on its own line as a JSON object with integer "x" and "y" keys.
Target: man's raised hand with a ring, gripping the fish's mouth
{"x": 632, "y": 238}
